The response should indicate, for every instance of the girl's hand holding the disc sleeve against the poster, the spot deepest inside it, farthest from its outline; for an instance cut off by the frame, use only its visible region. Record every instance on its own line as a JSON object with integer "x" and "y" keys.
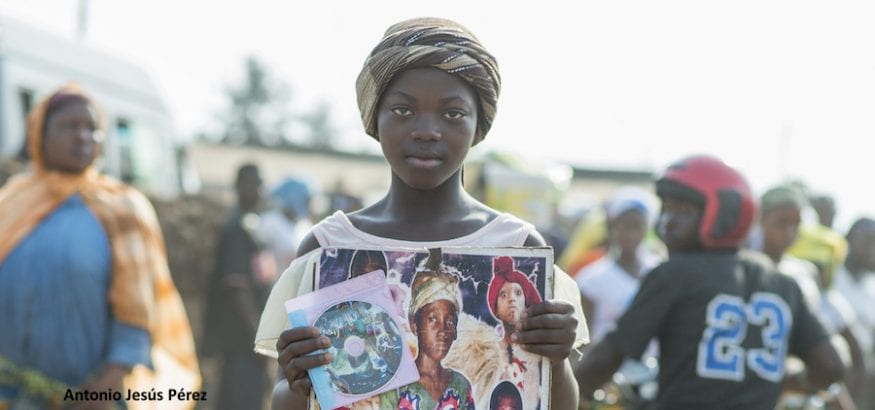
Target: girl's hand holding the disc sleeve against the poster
{"x": 294, "y": 347}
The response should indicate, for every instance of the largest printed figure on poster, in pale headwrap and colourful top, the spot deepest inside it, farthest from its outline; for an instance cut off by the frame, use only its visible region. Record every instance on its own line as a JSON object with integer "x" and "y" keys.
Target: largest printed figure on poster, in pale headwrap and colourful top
{"x": 436, "y": 302}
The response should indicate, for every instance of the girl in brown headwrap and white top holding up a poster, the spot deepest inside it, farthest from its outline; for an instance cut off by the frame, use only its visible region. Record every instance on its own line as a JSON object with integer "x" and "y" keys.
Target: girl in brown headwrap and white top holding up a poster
{"x": 427, "y": 94}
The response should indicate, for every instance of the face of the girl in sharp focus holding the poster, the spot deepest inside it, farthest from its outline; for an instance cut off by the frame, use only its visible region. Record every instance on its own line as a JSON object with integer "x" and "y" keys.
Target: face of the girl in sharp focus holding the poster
{"x": 426, "y": 122}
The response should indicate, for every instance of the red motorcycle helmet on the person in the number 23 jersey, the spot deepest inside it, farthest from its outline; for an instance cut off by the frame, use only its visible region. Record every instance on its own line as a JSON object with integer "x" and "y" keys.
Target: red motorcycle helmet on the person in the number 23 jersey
{"x": 728, "y": 204}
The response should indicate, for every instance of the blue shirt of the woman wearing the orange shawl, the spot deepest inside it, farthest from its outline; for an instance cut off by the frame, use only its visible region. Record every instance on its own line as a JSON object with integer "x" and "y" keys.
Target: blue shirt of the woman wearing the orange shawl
{"x": 55, "y": 315}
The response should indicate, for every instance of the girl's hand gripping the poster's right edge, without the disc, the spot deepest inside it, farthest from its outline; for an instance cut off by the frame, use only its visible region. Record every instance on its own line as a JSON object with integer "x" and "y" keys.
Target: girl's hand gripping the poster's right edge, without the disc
{"x": 548, "y": 329}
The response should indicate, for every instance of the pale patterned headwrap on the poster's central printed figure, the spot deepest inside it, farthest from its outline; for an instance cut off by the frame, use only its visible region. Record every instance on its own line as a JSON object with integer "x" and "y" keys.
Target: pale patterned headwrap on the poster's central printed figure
{"x": 433, "y": 283}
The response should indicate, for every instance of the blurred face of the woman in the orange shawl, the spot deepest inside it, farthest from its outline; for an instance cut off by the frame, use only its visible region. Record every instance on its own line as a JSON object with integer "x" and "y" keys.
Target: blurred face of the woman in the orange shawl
{"x": 71, "y": 140}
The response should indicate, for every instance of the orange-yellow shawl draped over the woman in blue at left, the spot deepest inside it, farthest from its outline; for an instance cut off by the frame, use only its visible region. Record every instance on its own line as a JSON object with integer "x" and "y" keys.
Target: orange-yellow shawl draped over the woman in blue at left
{"x": 141, "y": 292}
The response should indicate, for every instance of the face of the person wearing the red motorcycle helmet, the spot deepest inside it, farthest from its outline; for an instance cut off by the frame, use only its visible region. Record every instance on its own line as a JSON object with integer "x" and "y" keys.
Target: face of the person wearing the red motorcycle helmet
{"x": 678, "y": 225}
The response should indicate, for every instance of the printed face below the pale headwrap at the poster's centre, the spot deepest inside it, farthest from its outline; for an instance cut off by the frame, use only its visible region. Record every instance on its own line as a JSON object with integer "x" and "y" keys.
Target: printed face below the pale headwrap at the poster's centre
{"x": 435, "y": 328}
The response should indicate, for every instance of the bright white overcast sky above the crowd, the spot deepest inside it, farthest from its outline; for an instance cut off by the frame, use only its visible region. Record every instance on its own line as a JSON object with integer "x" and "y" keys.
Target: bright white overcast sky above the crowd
{"x": 780, "y": 89}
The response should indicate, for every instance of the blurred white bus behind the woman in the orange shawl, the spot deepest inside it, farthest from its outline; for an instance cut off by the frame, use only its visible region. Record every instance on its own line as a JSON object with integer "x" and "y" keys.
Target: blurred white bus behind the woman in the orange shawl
{"x": 140, "y": 145}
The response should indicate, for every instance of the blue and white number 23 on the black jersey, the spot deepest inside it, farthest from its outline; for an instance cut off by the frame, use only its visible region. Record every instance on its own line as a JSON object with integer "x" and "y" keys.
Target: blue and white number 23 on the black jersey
{"x": 721, "y": 354}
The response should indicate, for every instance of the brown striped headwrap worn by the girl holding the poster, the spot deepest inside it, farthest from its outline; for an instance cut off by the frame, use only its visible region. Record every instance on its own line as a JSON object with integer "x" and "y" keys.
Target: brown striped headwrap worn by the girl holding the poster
{"x": 429, "y": 42}
